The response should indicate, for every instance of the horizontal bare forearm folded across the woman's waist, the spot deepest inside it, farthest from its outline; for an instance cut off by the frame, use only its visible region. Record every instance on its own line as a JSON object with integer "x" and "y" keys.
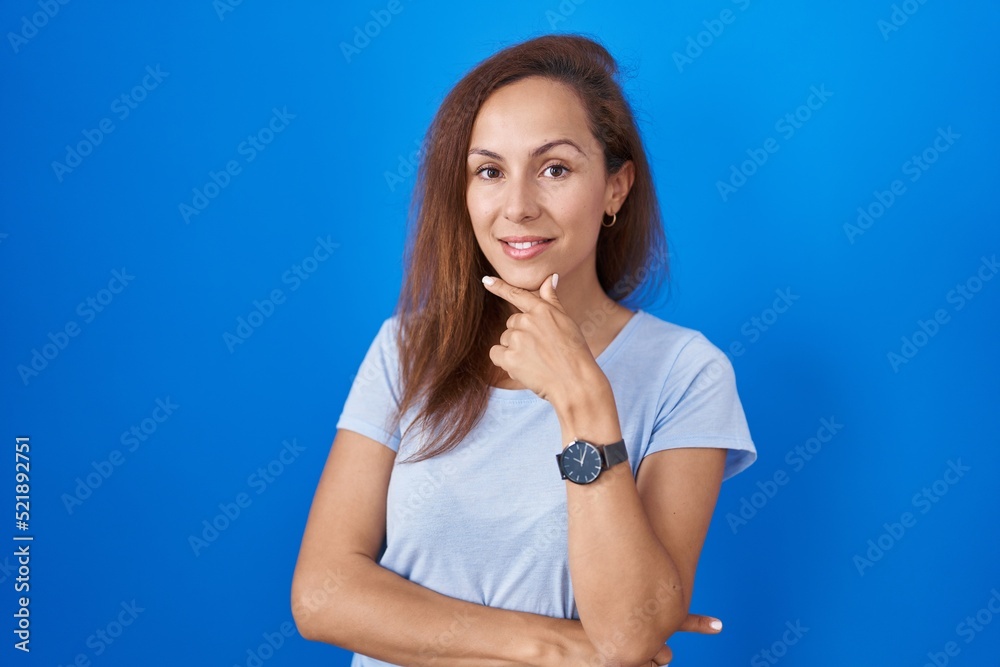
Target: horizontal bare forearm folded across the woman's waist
{"x": 360, "y": 606}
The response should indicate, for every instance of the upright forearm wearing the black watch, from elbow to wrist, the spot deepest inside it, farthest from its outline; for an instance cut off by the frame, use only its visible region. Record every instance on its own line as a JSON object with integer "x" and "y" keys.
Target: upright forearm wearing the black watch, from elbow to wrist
{"x": 628, "y": 590}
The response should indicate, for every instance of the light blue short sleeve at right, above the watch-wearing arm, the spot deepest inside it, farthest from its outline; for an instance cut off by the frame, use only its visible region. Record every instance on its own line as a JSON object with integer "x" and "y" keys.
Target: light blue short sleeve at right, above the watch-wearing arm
{"x": 700, "y": 407}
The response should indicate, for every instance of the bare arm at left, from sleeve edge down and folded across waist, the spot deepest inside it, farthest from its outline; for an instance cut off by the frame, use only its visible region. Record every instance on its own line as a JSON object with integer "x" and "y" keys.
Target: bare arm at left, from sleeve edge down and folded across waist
{"x": 341, "y": 596}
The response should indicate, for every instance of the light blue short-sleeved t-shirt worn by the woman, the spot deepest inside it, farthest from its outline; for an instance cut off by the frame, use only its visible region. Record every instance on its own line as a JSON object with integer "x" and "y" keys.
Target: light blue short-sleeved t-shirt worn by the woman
{"x": 486, "y": 521}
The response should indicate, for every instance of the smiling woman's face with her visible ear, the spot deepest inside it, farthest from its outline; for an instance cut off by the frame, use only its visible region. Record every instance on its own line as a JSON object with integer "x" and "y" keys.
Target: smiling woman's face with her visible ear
{"x": 536, "y": 176}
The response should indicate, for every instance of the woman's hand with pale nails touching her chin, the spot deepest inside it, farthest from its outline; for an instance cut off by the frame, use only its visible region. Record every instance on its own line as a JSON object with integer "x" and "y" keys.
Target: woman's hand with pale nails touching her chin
{"x": 542, "y": 347}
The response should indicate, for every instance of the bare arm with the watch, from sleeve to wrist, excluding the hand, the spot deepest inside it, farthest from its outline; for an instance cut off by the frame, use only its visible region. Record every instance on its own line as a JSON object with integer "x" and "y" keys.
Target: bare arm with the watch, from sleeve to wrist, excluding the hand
{"x": 633, "y": 576}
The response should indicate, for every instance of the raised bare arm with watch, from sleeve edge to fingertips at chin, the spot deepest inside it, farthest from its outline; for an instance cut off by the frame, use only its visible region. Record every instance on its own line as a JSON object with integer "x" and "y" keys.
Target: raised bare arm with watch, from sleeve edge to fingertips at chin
{"x": 632, "y": 580}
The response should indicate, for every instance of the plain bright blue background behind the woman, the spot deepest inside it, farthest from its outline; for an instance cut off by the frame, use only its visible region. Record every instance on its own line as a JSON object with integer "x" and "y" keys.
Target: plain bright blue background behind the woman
{"x": 337, "y": 171}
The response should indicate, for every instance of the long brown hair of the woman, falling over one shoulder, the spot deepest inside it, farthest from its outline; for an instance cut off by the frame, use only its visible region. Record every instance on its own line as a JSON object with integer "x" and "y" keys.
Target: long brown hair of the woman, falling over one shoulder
{"x": 448, "y": 322}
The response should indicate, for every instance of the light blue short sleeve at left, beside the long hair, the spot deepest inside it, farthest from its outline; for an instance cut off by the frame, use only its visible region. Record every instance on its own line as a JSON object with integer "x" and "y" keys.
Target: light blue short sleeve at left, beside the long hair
{"x": 373, "y": 401}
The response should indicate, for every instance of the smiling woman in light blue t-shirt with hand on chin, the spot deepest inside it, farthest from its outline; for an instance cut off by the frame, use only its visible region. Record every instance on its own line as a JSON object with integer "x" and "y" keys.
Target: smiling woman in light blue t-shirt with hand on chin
{"x": 536, "y": 219}
